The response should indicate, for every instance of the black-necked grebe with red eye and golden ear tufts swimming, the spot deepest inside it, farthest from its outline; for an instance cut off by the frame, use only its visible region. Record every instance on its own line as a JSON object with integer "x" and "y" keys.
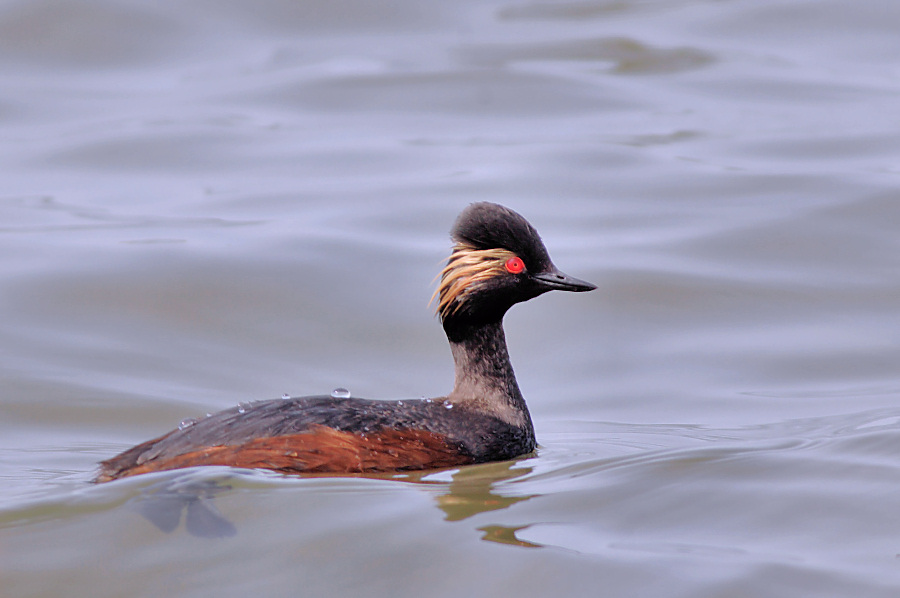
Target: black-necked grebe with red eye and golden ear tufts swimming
{"x": 498, "y": 260}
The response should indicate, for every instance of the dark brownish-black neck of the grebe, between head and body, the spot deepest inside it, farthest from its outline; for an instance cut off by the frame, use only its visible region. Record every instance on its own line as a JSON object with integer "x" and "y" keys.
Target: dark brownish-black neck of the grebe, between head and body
{"x": 484, "y": 376}
